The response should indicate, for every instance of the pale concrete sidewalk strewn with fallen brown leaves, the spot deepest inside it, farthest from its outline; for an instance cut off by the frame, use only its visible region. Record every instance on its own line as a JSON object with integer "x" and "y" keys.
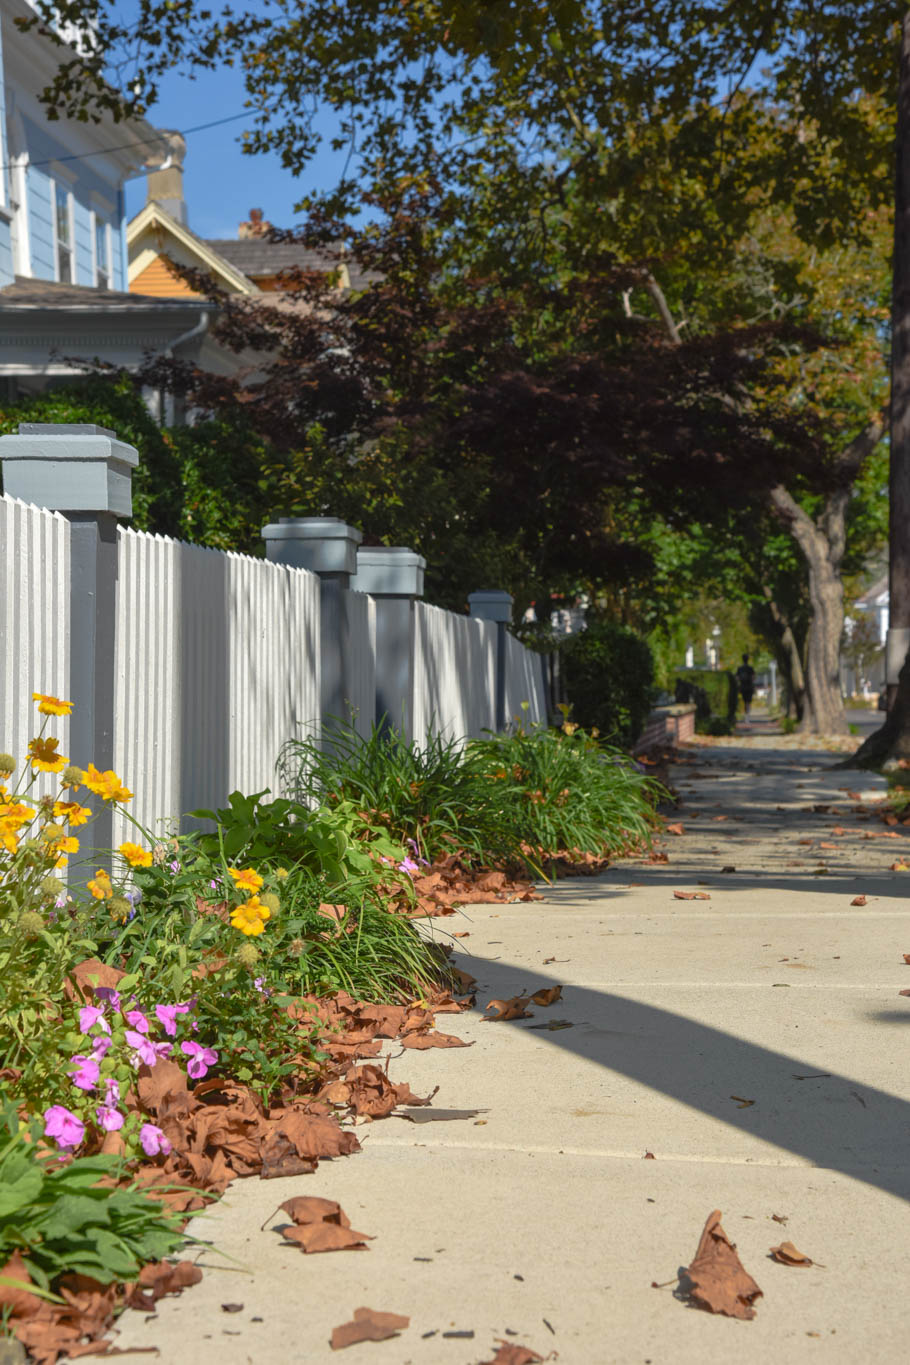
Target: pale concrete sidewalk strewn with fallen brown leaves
{"x": 544, "y": 1217}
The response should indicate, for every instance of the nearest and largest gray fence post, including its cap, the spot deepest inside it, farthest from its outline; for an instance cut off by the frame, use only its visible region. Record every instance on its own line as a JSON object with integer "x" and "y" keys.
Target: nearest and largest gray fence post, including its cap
{"x": 87, "y": 474}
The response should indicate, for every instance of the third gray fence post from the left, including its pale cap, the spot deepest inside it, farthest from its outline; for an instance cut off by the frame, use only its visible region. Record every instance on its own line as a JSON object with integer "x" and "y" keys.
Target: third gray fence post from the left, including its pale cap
{"x": 394, "y": 578}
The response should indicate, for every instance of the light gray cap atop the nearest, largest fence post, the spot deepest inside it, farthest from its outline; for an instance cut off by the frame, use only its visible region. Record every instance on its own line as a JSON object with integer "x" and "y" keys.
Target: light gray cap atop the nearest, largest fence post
{"x": 69, "y": 468}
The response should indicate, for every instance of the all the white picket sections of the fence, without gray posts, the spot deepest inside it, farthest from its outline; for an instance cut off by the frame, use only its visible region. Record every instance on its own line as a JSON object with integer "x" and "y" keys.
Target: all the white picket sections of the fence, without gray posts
{"x": 218, "y": 663}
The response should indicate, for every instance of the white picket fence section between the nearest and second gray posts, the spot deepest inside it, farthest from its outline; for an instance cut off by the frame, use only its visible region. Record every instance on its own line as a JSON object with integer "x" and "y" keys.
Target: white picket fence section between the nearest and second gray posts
{"x": 218, "y": 664}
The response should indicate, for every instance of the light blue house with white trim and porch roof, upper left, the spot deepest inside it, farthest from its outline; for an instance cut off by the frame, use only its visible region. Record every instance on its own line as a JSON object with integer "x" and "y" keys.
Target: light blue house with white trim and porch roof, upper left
{"x": 65, "y": 294}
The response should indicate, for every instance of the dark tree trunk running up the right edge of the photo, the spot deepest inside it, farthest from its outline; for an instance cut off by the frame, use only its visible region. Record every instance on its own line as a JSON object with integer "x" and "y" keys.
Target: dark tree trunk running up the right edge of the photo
{"x": 893, "y": 741}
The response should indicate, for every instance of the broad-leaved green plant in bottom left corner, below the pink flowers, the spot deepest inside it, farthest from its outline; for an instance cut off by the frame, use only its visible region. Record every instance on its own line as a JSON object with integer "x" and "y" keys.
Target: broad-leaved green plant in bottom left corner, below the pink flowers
{"x": 63, "y": 1221}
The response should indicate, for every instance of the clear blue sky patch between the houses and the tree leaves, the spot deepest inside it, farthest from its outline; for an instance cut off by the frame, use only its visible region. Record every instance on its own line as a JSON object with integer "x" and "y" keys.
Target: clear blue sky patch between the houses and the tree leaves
{"x": 220, "y": 182}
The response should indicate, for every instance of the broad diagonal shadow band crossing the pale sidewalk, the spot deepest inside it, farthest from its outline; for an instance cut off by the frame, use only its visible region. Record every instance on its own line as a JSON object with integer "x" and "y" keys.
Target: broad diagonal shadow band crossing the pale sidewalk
{"x": 832, "y": 1121}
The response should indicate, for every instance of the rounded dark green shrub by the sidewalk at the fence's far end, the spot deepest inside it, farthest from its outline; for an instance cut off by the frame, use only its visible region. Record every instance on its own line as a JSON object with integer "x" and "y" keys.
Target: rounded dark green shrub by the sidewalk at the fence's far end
{"x": 609, "y": 674}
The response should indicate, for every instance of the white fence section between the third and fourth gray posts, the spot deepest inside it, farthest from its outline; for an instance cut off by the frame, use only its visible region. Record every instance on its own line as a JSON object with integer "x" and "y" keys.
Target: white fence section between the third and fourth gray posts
{"x": 455, "y": 667}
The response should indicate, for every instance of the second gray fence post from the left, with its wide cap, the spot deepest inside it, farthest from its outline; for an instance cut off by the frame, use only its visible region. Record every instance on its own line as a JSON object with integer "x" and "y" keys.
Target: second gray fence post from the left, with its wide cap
{"x": 329, "y": 548}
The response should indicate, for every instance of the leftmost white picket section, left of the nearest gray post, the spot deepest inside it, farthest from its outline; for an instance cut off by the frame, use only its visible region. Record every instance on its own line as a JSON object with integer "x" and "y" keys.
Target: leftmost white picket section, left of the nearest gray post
{"x": 35, "y": 626}
